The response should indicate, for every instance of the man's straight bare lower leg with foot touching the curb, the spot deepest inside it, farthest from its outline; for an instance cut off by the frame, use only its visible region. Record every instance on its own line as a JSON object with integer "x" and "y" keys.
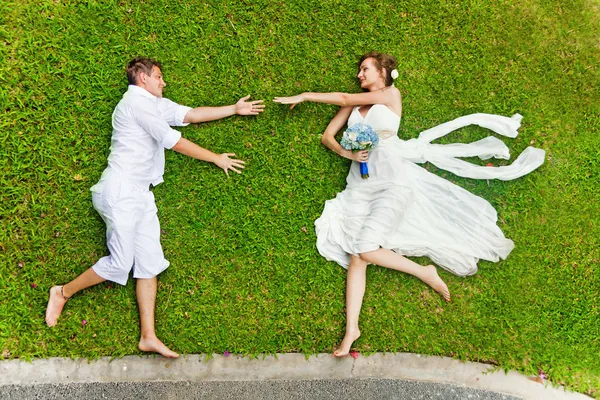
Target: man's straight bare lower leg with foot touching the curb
{"x": 146, "y": 296}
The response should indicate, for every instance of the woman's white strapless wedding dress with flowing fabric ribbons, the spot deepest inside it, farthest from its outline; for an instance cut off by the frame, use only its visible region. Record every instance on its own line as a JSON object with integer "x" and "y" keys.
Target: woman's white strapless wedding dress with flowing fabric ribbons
{"x": 403, "y": 207}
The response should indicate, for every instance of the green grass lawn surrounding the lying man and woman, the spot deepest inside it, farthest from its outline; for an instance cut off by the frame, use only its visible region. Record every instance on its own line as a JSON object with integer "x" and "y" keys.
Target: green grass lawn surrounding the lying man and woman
{"x": 245, "y": 277}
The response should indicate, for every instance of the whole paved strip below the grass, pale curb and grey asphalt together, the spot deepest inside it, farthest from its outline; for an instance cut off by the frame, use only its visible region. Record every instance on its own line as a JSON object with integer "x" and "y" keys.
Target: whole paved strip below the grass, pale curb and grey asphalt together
{"x": 381, "y": 376}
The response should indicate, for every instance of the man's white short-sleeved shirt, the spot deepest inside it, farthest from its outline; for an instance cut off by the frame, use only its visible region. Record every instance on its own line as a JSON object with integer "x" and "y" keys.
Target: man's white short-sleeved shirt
{"x": 141, "y": 131}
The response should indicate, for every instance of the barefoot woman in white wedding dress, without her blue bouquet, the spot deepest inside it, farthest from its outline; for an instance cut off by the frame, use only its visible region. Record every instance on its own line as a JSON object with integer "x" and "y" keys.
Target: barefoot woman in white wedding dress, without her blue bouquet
{"x": 402, "y": 209}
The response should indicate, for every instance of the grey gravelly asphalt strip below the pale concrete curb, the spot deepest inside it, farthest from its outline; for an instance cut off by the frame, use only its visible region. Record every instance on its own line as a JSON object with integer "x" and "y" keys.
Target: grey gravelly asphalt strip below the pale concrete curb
{"x": 359, "y": 389}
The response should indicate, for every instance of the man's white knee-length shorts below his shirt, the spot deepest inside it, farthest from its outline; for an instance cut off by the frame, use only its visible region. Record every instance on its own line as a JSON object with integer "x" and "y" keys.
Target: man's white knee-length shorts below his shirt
{"x": 132, "y": 232}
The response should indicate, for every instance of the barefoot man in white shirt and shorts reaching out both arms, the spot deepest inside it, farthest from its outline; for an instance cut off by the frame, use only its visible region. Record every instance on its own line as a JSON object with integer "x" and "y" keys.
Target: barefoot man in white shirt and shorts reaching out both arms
{"x": 141, "y": 131}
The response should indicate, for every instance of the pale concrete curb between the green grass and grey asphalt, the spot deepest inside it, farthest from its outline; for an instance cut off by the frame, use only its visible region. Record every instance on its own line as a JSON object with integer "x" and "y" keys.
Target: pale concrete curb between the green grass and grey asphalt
{"x": 194, "y": 368}
